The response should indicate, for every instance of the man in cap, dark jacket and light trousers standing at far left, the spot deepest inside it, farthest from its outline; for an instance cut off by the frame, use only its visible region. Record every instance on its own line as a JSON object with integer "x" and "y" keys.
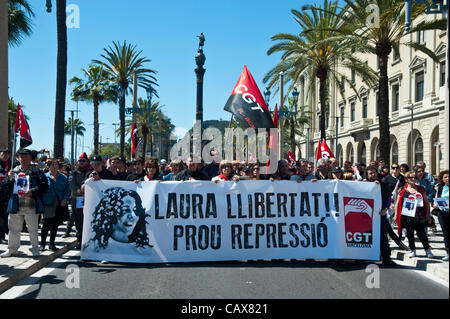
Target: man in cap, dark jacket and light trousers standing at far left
{"x": 27, "y": 206}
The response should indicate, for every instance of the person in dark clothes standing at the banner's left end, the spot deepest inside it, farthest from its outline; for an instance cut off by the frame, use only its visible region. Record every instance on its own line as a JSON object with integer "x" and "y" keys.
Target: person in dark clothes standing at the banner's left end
{"x": 79, "y": 176}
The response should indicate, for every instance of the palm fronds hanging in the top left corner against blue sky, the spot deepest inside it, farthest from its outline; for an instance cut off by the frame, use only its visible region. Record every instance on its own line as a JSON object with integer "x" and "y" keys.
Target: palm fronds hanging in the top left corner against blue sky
{"x": 19, "y": 21}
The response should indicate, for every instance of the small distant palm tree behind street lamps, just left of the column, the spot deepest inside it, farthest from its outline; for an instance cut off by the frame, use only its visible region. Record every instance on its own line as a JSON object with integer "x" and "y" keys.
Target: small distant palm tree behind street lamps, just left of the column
{"x": 142, "y": 122}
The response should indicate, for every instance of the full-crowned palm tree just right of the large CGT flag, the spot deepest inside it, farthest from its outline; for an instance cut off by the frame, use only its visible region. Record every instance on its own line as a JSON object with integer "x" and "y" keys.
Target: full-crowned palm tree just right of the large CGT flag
{"x": 313, "y": 55}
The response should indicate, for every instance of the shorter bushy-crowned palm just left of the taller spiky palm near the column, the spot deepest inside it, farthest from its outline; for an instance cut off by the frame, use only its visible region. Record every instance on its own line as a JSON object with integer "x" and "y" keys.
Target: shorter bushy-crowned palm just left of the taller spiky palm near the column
{"x": 96, "y": 88}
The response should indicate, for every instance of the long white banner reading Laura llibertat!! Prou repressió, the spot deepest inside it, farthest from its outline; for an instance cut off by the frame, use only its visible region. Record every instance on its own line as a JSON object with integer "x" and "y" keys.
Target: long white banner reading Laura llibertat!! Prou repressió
{"x": 155, "y": 222}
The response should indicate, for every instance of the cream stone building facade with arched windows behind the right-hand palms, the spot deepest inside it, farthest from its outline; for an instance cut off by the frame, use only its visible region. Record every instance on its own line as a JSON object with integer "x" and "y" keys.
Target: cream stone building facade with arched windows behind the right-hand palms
{"x": 414, "y": 80}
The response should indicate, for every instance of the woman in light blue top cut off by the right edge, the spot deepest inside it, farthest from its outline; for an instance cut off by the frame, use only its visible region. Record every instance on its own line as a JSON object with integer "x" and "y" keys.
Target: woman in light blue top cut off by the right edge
{"x": 441, "y": 205}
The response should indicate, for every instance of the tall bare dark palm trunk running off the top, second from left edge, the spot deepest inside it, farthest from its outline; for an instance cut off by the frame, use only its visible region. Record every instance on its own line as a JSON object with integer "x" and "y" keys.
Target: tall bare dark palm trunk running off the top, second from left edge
{"x": 61, "y": 79}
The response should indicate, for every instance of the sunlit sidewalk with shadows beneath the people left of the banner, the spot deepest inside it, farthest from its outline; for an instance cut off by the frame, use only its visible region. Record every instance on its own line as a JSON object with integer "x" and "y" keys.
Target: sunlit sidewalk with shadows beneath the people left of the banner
{"x": 14, "y": 269}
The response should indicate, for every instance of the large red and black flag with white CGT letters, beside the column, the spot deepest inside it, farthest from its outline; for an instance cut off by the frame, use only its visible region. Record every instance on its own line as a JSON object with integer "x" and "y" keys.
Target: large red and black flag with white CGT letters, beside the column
{"x": 247, "y": 104}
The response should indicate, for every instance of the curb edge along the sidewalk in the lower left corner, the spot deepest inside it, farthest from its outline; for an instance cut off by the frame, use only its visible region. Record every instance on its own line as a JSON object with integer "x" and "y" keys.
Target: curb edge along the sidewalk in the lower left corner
{"x": 33, "y": 265}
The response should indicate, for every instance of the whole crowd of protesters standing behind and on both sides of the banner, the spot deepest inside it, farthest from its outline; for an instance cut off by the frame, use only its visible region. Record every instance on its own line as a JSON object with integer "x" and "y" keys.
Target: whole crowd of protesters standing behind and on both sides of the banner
{"x": 54, "y": 184}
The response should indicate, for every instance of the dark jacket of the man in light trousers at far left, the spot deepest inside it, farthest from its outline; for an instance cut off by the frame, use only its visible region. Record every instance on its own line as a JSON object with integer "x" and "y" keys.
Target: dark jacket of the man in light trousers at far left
{"x": 38, "y": 187}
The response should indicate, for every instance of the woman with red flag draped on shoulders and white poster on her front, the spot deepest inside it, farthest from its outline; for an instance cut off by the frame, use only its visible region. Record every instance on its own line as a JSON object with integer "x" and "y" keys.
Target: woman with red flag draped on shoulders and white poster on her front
{"x": 422, "y": 214}
